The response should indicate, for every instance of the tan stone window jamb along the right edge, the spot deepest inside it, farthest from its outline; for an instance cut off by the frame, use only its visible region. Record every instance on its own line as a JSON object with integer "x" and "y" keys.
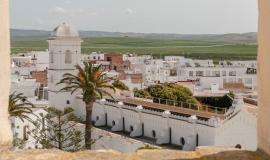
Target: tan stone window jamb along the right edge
{"x": 264, "y": 76}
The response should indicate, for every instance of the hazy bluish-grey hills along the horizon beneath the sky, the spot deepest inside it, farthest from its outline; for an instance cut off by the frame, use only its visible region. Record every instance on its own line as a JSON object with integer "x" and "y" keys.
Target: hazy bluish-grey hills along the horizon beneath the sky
{"x": 229, "y": 38}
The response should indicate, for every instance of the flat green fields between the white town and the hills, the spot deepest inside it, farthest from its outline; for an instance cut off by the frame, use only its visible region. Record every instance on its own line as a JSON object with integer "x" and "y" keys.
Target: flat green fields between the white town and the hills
{"x": 158, "y": 48}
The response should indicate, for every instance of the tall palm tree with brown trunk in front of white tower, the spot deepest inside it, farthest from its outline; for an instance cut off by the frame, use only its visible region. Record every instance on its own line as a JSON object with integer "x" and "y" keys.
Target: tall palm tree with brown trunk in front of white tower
{"x": 93, "y": 84}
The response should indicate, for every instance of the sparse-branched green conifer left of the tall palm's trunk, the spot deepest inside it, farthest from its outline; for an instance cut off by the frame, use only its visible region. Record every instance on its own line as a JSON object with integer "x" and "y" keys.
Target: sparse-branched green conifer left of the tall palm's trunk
{"x": 57, "y": 129}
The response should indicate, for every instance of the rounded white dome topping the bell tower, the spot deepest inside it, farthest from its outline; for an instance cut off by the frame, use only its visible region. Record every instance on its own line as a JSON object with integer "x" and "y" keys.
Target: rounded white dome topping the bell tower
{"x": 64, "y": 30}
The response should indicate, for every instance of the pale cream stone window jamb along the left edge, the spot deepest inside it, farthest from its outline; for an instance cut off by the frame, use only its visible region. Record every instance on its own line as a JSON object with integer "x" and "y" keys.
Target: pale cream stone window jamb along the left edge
{"x": 5, "y": 131}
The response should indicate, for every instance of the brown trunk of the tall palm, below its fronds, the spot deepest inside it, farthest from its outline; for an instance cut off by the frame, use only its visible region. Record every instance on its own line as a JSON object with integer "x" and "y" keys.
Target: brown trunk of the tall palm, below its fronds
{"x": 88, "y": 124}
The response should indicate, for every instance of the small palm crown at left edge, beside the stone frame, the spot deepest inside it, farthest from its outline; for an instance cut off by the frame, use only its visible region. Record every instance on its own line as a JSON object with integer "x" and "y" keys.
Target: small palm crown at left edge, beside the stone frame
{"x": 19, "y": 106}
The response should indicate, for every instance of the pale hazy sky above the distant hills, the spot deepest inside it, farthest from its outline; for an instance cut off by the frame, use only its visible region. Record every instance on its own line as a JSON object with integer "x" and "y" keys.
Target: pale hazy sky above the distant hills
{"x": 144, "y": 16}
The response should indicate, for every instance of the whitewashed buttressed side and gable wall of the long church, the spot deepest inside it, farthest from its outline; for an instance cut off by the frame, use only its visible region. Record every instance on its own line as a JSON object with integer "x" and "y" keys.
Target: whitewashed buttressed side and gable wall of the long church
{"x": 166, "y": 128}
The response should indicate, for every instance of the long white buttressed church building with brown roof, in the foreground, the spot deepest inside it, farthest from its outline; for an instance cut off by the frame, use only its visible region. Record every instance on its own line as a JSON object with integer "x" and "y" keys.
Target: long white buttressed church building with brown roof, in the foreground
{"x": 235, "y": 128}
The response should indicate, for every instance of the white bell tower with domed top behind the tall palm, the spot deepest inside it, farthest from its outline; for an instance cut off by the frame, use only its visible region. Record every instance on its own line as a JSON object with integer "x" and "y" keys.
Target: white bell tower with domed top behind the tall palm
{"x": 64, "y": 54}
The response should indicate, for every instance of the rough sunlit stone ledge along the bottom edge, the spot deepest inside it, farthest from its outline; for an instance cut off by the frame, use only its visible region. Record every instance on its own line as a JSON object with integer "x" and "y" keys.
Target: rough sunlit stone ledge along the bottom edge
{"x": 202, "y": 153}
